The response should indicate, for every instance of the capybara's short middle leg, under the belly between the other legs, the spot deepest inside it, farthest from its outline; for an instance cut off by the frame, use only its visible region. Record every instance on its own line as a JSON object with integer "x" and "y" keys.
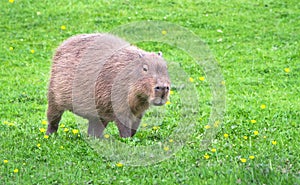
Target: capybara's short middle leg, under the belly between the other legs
{"x": 96, "y": 127}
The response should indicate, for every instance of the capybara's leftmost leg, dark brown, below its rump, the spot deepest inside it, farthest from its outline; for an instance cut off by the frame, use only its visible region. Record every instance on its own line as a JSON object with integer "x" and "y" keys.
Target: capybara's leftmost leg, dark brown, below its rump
{"x": 53, "y": 116}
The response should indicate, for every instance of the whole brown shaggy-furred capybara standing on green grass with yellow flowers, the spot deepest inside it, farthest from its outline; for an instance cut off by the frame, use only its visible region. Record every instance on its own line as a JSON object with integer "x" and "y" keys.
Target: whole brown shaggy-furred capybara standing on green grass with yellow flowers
{"x": 103, "y": 78}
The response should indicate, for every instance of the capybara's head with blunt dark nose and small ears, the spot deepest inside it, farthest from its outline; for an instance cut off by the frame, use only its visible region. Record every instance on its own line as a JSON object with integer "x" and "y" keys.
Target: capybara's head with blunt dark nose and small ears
{"x": 154, "y": 83}
